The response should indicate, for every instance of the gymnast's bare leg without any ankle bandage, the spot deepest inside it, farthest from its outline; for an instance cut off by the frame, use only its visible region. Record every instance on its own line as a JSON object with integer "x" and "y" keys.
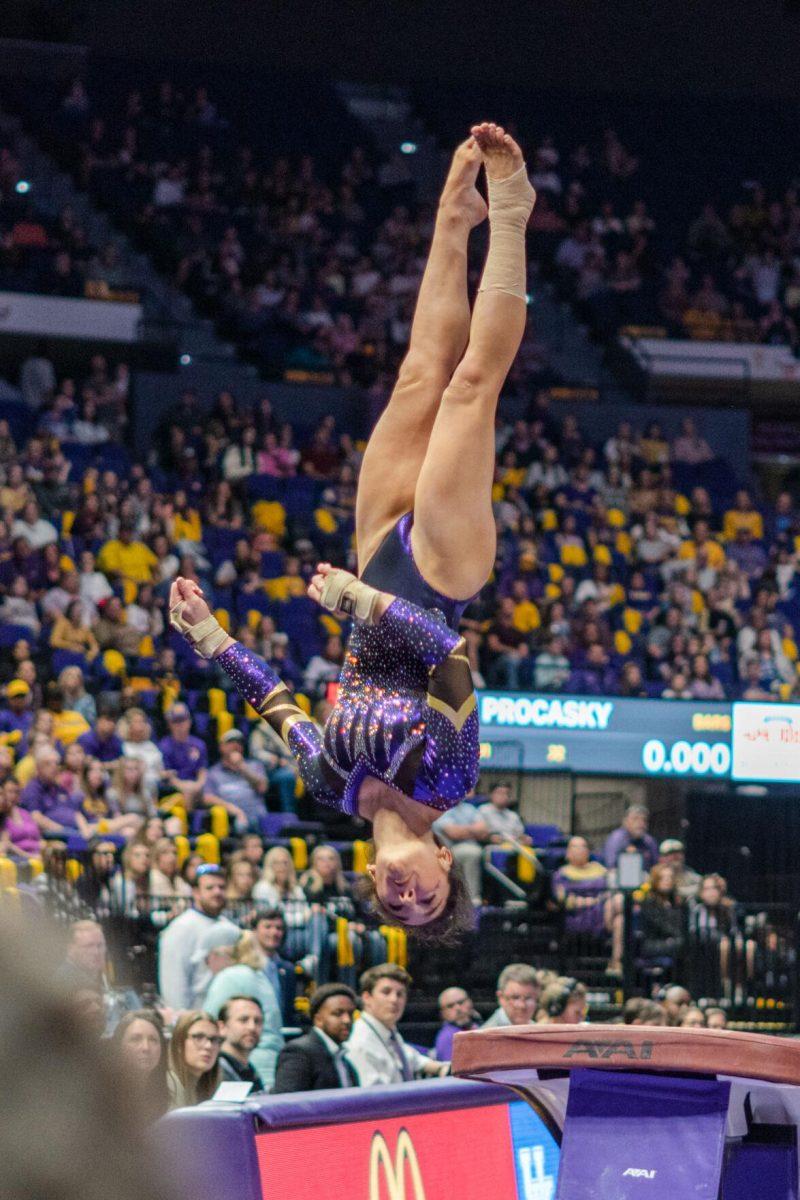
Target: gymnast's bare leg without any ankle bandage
{"x": 400, "y": 441}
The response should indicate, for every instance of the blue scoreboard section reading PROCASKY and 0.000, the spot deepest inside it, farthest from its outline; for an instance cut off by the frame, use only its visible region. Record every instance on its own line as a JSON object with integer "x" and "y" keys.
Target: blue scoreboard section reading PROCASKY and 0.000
{"x": 606, "y": 736}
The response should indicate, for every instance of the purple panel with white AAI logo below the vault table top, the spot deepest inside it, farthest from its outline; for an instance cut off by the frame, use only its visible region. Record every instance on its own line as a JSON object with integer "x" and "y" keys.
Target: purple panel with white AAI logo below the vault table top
{"x": 654, "y": 1137}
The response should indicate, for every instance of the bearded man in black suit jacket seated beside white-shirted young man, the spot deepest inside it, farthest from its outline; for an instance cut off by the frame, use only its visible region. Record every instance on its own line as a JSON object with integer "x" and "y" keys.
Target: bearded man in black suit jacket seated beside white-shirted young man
{"x": 318, "y": 1060}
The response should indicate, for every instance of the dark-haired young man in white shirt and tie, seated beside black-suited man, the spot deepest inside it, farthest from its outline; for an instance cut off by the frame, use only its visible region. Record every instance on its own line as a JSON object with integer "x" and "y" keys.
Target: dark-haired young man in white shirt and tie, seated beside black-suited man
{"x": 375, "y": 1048}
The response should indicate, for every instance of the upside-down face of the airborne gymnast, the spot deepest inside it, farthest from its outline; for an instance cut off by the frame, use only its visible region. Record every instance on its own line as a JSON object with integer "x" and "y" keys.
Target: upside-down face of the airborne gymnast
{"x": 413, "y": 880}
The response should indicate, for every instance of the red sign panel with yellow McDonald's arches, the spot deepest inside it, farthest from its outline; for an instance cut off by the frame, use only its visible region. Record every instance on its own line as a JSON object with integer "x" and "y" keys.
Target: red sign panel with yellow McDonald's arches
{"x": 461, "y": 1155}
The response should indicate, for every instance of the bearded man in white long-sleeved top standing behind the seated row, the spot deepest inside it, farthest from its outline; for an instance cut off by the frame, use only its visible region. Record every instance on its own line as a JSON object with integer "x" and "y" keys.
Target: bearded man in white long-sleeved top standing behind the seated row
{"x": 184, "y": 973}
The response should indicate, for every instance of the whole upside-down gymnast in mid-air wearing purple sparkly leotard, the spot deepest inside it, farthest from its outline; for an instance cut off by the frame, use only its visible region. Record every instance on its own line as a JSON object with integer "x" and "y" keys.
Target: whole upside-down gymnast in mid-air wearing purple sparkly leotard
{"x": 401, "y": 746}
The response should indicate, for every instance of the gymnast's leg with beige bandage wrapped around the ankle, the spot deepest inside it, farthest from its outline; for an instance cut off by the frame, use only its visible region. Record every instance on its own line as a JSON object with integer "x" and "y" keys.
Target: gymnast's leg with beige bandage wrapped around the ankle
{"x": 454, "y": 536}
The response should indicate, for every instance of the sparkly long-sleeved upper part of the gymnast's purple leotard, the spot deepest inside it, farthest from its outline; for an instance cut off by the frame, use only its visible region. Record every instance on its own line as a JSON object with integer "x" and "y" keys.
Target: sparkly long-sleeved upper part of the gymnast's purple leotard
{"x": 406, "y": 713}
